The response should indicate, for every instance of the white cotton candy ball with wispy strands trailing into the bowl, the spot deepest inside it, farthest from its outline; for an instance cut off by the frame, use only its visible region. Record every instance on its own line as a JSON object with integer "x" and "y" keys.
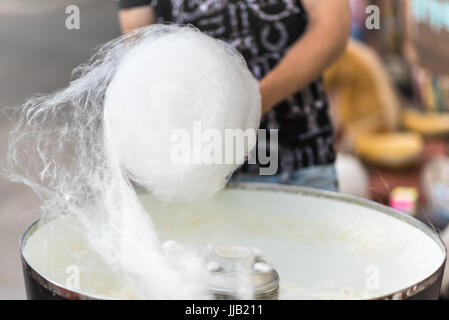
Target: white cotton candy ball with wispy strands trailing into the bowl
{"x": 118, "y": 124}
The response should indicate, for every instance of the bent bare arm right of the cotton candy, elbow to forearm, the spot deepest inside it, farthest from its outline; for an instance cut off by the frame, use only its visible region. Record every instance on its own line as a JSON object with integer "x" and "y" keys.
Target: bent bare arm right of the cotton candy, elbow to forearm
{"x": 324, "y": 40}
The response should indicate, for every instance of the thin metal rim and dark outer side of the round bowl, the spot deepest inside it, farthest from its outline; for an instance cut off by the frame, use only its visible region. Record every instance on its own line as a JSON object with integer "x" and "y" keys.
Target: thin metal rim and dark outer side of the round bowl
{"x": 39, "y": 286}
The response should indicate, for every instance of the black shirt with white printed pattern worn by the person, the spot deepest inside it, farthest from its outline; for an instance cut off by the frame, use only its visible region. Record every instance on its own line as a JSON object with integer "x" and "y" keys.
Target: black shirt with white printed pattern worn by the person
{"x": 263, "y": 31}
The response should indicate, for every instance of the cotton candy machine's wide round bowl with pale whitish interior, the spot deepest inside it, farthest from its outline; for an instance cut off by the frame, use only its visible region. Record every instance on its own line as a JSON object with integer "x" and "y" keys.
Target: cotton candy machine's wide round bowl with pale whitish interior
{"x": 310, "y": 245}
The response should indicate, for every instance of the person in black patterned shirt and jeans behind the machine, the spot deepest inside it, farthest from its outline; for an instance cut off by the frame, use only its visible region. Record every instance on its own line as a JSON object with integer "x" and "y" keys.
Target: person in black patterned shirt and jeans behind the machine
{"x": 287, "y": 44}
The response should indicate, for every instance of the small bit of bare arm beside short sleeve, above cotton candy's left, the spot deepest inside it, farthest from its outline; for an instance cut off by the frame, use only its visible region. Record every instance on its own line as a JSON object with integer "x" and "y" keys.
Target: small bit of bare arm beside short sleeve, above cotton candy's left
{"x": 135, "y": 17}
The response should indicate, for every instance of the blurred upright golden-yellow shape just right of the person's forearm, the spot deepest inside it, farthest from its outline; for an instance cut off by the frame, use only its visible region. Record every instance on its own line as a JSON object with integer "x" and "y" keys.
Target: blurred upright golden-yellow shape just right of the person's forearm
{"x": 364, "y": 95}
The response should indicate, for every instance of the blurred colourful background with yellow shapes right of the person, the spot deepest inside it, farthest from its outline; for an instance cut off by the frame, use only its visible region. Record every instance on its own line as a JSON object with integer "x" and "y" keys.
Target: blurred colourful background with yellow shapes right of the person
{"x": 390, "y": 107}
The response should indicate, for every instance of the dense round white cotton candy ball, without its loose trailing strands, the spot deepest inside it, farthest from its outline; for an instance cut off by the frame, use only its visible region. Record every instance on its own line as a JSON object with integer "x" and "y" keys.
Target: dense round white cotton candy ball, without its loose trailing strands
{"x": 166, "y": 83}
